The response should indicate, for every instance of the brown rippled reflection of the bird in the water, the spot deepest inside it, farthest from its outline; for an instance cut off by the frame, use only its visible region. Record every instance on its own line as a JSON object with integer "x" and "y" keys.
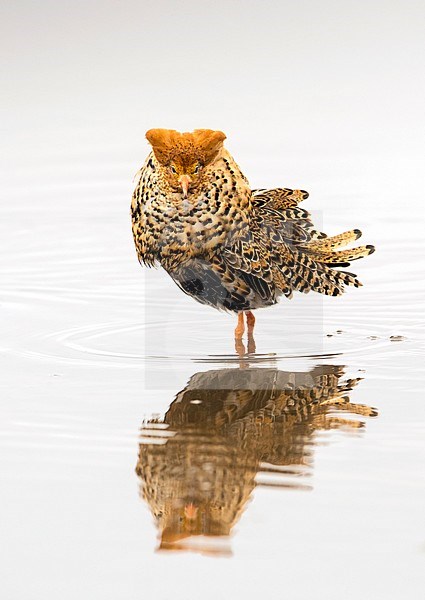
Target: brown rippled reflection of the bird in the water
{"x": 229, "y": 431}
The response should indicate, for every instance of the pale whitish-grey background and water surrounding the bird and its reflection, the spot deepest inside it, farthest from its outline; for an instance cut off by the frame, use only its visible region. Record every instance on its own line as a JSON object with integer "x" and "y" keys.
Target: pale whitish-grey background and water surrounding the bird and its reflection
{"x": 327, "y": 96}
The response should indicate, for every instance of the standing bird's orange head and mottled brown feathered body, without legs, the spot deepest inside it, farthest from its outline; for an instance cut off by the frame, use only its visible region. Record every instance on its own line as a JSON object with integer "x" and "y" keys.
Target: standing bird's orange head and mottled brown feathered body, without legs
{"x": 233, "y": 248}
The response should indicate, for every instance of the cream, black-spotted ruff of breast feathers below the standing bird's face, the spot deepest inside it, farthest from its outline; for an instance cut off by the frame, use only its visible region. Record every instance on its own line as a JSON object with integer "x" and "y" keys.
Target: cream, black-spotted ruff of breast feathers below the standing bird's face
{"x": 164, "y": 221}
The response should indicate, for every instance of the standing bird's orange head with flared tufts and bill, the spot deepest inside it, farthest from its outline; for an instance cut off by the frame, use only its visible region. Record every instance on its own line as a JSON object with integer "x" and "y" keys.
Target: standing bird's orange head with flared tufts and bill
{"x": 184, "y": 157}
